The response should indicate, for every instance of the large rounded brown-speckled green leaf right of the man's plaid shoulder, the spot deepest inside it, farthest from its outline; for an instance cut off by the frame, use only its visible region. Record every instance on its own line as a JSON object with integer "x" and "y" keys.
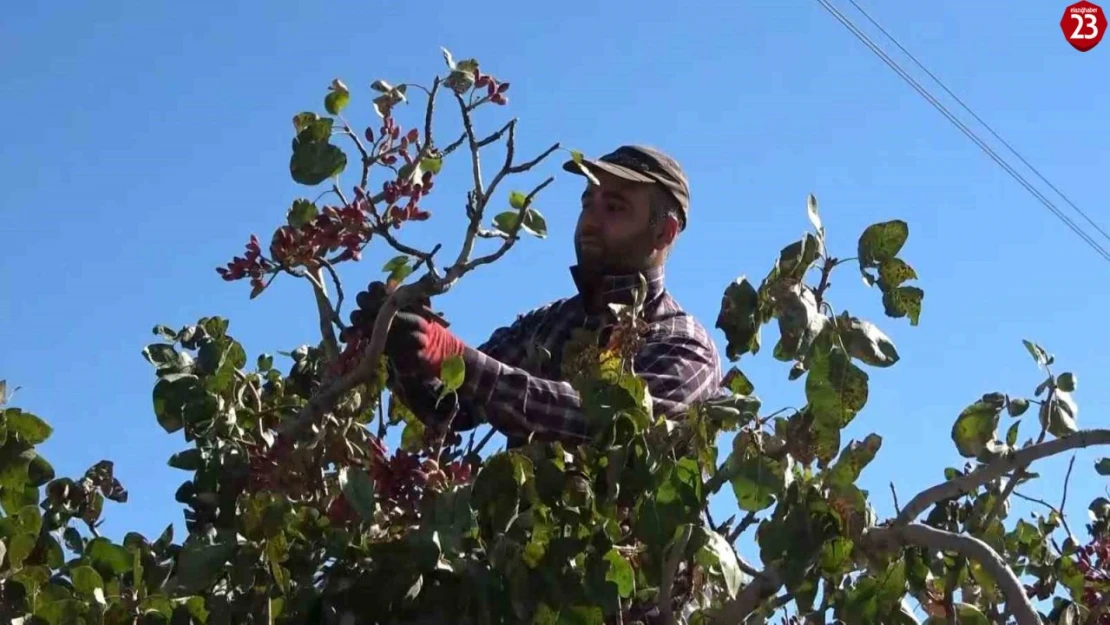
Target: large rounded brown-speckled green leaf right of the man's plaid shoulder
{"x": 836, "y": 389}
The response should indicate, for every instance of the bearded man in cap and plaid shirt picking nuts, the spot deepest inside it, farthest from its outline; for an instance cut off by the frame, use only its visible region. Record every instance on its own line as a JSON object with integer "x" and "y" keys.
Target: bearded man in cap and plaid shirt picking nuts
{"x": 627, "y": 229}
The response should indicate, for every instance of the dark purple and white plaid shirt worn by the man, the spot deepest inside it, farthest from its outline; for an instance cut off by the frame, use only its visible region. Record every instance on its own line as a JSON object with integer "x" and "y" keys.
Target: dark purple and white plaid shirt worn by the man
{"x": 521, "y": 396}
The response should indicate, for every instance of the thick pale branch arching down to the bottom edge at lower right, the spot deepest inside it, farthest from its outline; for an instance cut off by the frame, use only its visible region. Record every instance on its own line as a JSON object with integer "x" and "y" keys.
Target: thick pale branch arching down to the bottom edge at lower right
{"x": 899, "y": 537}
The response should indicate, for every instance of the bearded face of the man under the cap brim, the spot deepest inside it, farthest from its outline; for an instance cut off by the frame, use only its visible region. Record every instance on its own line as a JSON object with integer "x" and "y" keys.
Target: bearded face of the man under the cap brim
{"x": 614, "y": 233}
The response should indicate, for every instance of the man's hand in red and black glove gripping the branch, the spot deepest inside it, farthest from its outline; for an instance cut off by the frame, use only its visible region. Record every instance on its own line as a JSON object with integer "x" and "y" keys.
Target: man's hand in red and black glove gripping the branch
{"x": 419, "y": 342}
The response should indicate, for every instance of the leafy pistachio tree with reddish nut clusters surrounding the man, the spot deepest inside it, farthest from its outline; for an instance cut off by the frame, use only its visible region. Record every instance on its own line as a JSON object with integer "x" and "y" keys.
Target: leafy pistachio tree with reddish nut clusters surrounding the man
{"x": 329, "y": 526}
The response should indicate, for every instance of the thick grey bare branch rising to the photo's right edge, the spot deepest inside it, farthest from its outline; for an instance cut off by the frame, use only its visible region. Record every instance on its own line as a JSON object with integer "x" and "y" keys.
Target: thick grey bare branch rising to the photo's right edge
{"x": 995, "y": 470}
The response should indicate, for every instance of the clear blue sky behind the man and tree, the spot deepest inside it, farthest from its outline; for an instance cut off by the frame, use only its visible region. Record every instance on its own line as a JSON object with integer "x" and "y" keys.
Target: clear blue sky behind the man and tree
{"x": 147, "y": 142}
